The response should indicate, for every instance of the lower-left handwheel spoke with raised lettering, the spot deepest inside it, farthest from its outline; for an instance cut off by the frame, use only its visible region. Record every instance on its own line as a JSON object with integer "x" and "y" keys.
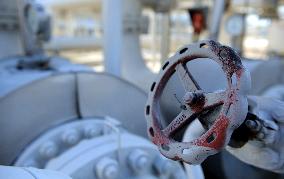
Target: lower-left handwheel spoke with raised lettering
{"x": 182, "y": 118}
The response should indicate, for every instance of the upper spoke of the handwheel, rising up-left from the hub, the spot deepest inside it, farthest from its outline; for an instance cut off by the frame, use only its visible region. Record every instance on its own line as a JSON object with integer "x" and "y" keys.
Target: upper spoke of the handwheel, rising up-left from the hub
{"x": 186, "y": 78}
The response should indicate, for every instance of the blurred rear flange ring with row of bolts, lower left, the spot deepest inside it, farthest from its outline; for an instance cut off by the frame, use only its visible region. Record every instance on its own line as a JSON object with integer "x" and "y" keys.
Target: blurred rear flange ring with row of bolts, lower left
{"x": 59, "y": 140}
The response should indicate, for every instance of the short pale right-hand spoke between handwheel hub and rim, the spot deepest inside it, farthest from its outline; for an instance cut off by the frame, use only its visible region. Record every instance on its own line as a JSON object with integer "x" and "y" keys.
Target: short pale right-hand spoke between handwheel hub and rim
{"x": 214, "y": 99}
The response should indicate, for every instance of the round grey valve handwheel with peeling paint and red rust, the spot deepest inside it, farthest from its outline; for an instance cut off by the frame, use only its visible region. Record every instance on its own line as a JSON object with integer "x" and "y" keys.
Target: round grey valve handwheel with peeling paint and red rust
{"x": 231, "y": 101}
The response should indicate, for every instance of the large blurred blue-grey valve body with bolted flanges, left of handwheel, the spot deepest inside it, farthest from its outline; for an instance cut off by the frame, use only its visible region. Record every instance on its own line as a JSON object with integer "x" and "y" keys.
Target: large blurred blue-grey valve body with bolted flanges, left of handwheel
{"x": 61, "y": 120}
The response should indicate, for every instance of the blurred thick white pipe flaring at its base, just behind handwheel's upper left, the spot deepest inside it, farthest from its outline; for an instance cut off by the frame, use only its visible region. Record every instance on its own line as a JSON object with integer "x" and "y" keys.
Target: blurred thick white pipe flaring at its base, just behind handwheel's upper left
{"x": 133, "y": 66}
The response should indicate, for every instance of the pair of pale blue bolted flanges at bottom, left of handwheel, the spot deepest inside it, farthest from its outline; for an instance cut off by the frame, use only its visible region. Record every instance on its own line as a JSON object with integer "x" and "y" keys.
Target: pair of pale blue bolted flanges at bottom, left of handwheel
{"x": 97, "y": 148}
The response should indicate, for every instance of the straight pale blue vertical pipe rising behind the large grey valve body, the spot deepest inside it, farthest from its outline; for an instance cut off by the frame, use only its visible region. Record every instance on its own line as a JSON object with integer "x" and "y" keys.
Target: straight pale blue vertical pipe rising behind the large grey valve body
{"x": 112, "y": 35}
